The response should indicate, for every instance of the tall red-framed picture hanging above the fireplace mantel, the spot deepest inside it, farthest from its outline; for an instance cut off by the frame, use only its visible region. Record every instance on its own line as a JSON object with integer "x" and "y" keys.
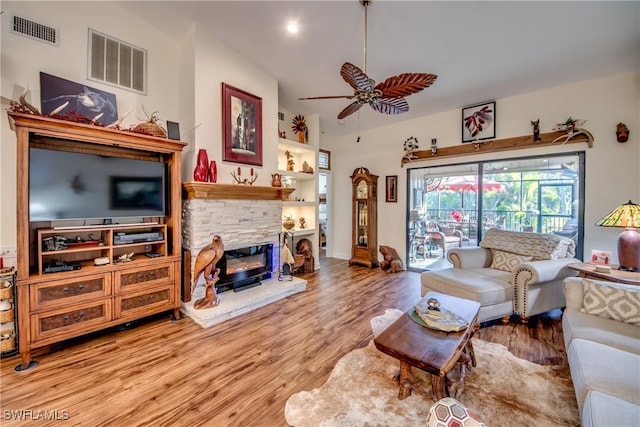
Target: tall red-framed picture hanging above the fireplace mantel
{"x": 241, "y": 126}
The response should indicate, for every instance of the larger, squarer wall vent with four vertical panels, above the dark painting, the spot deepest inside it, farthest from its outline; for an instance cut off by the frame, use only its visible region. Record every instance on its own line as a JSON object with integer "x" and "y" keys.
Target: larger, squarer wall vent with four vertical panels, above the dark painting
{"x": 116, "y": 62}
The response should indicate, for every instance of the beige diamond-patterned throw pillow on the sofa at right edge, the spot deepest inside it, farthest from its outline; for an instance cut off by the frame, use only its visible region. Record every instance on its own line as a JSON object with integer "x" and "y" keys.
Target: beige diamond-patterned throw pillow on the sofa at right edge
{"x": 611, "y": 302}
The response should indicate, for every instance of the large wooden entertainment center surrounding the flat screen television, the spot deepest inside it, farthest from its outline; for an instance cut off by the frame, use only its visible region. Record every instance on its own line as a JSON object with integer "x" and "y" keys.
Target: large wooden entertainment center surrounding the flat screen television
{"x": 84, "y": 297}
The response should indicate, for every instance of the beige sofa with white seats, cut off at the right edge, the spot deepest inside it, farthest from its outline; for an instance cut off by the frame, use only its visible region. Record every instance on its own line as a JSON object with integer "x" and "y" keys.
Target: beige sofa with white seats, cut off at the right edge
{"x": 601, "y": 328}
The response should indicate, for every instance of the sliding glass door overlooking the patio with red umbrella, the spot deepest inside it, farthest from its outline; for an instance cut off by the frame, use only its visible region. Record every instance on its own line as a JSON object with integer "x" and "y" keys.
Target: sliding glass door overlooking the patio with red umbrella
{"x": 452, "y": 206}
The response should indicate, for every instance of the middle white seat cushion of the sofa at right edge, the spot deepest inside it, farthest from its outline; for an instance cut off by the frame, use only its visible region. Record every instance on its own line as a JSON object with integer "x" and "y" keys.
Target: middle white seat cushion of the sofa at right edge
{"x": 606, "y": 369}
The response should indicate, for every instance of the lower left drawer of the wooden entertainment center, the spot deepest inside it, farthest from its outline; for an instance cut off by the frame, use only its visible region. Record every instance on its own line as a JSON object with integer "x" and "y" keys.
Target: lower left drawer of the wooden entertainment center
{"x": 71, "y": 322}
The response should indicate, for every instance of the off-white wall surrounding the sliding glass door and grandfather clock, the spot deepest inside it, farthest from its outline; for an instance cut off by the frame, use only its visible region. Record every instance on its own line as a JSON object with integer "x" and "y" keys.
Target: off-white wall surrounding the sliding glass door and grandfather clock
{"x": 612, "y": 172}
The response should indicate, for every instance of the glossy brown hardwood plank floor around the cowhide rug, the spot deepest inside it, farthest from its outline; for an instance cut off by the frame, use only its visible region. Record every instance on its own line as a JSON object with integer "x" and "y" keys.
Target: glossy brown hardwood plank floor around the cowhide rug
{"x": 238, "y": 373}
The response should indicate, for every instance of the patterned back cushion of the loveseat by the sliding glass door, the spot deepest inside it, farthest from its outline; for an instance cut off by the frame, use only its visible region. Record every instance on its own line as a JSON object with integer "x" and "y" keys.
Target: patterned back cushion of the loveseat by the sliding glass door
{"x": 539, "y": 246}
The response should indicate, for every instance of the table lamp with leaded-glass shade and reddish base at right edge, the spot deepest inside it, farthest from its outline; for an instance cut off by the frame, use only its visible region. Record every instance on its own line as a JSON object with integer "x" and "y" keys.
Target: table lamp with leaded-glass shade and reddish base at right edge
{"x": 626, "y": 216}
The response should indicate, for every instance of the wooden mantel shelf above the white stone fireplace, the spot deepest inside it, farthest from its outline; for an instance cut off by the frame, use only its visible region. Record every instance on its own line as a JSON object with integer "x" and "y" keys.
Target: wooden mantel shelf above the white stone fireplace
{"x": 215, "y": 191}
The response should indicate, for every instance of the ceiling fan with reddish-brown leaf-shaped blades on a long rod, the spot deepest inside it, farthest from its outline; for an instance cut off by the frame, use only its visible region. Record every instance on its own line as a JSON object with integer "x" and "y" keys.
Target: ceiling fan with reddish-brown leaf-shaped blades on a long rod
{"x": 386, "y": 97}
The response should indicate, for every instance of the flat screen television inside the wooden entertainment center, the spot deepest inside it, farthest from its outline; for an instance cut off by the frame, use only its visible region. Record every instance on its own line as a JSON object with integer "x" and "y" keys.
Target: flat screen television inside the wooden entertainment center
{"x": 67, "y": 185}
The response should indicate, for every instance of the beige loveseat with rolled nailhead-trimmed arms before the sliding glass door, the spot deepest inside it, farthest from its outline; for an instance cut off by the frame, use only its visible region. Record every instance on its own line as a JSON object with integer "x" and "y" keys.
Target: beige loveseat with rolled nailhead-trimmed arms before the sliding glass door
{"x": 510, "y": 272}
